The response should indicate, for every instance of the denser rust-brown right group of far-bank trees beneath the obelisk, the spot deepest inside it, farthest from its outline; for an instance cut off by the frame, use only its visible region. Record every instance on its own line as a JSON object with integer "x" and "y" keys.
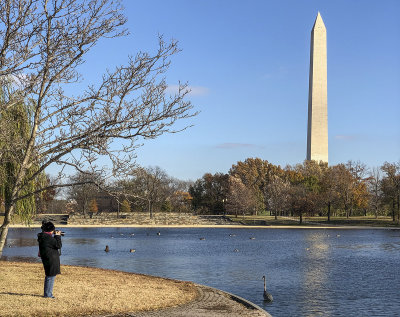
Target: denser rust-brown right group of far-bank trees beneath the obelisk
{"x": 258, "y": 186}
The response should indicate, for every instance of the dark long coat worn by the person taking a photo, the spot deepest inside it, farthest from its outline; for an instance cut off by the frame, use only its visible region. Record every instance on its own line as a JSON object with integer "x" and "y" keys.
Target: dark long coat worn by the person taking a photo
{"x": 48, "y": 250}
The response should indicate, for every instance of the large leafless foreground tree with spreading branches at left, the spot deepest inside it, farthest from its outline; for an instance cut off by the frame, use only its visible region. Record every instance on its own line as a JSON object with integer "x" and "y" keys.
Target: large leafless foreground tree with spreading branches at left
{"x": 42, "y": 45}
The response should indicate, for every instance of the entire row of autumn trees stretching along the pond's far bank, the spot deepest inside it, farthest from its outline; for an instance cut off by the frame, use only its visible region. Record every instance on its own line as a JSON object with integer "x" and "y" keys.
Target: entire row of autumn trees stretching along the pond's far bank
{"x": 251, "y": 187}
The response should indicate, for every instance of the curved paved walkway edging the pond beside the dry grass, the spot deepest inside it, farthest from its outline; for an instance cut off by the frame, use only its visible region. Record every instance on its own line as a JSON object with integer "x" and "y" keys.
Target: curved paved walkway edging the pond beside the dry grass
{"x": 210, "y": 303}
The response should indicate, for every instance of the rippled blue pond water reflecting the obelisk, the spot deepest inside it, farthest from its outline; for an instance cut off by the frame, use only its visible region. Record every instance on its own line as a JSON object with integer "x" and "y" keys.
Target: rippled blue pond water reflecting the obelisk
{"x": 312, "y": 272}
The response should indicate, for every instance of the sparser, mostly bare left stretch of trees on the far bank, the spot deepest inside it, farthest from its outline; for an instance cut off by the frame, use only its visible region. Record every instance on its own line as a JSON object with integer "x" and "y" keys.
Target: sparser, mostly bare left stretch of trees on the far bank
{"x": 148, "y": 189}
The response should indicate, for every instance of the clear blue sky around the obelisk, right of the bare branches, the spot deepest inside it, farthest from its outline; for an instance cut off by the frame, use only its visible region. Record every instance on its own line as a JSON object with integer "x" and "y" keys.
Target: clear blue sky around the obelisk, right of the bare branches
{"x": 247, "y": 63}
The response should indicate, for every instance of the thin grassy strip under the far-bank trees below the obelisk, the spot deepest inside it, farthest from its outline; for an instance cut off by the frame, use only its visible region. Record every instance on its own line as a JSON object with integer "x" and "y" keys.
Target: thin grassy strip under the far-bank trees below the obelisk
{"x": 368, "y": 221}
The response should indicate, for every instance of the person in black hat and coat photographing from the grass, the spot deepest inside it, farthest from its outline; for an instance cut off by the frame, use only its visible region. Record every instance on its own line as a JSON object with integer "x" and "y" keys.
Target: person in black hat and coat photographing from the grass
{"x": 49, "y": 245}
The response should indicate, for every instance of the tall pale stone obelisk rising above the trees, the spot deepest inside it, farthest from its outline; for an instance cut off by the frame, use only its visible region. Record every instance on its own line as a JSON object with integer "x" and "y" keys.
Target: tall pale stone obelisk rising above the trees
{"x": 317, "y": 130}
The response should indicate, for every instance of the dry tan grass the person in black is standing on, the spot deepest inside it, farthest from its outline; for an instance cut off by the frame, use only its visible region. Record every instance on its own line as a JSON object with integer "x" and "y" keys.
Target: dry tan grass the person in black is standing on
{"x": 81, "y": 291}
